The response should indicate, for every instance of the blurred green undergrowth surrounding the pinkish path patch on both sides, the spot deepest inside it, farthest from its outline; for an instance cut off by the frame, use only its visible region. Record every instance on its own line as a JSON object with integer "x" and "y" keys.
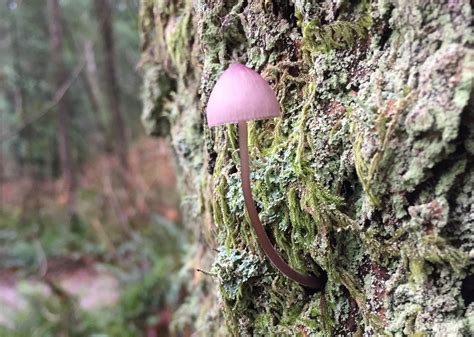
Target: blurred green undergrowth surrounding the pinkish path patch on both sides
{"x": 144, "y": 293}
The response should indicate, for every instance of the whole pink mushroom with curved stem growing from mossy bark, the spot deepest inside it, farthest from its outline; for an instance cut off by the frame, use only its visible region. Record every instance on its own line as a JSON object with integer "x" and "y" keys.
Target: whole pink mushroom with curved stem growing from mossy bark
{"x": 240, "y": 95}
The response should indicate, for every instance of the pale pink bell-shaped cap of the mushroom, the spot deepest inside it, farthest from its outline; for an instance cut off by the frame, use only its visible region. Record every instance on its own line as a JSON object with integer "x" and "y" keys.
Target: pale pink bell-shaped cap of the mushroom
{"x": 241, "y": 94}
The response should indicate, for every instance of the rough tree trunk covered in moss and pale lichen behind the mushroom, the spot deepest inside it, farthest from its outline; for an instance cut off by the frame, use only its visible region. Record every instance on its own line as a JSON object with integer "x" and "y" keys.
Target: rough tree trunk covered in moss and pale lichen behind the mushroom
{"x": 367, "y": 178}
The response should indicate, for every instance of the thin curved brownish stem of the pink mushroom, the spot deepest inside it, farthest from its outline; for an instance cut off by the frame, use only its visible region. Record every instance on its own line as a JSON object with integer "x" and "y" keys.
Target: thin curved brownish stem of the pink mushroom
{"x": 270, "y": 251}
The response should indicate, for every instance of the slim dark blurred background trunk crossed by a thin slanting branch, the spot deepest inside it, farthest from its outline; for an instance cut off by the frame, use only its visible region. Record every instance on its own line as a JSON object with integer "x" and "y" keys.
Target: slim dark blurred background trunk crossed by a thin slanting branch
{"x": 56, "y": 45}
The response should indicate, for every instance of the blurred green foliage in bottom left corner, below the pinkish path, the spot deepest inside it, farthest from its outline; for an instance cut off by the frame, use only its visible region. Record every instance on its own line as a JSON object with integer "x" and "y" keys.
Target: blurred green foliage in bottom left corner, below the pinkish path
{"x": 57, "y": 314}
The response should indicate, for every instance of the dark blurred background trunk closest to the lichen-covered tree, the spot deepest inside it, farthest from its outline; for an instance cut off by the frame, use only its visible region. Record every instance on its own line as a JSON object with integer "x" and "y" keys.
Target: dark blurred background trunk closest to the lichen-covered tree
{"x": 104, "y": 16}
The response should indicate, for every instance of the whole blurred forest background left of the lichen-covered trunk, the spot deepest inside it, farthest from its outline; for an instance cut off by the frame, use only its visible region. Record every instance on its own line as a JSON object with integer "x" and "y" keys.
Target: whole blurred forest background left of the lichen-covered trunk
{"x": 89, "y": 227}
